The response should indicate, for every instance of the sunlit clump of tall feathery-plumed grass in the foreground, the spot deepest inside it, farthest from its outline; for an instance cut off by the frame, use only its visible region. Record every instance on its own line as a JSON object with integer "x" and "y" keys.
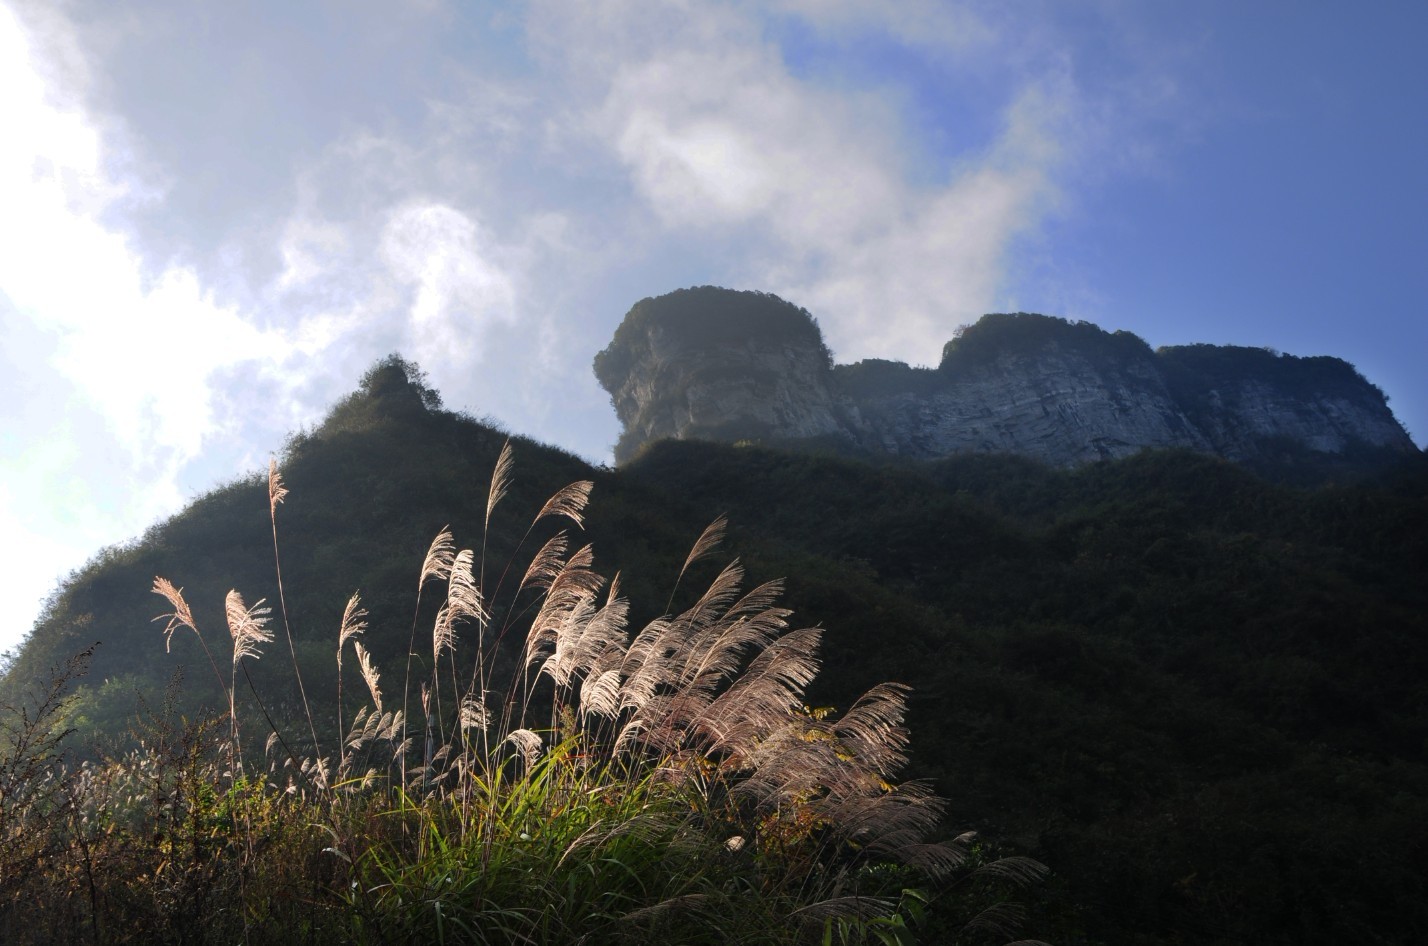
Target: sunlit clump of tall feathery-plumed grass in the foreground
{"x": 592, "y": 785}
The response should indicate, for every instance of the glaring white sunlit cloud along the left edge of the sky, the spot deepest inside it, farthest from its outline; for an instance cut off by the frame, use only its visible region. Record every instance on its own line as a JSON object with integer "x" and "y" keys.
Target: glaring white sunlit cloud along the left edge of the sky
{"x": 125, "y": 362}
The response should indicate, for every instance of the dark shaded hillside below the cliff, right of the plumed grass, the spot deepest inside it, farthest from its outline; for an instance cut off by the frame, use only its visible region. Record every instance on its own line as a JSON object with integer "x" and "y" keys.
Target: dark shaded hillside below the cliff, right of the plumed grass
{"x": 1195, "y": 694}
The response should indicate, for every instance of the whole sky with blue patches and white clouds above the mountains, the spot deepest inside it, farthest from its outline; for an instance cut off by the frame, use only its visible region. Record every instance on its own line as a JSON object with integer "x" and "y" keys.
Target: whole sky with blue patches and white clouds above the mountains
{"x": 215, "y": 216}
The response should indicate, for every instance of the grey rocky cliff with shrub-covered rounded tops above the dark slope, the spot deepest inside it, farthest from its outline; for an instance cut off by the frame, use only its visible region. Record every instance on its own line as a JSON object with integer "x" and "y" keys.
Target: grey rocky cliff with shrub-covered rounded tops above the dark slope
{"x": 720, "y": 365}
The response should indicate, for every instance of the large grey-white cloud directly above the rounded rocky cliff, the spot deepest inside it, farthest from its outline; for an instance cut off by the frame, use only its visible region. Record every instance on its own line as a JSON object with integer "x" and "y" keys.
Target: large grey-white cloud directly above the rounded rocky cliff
{"x": 720, "y": 136}
